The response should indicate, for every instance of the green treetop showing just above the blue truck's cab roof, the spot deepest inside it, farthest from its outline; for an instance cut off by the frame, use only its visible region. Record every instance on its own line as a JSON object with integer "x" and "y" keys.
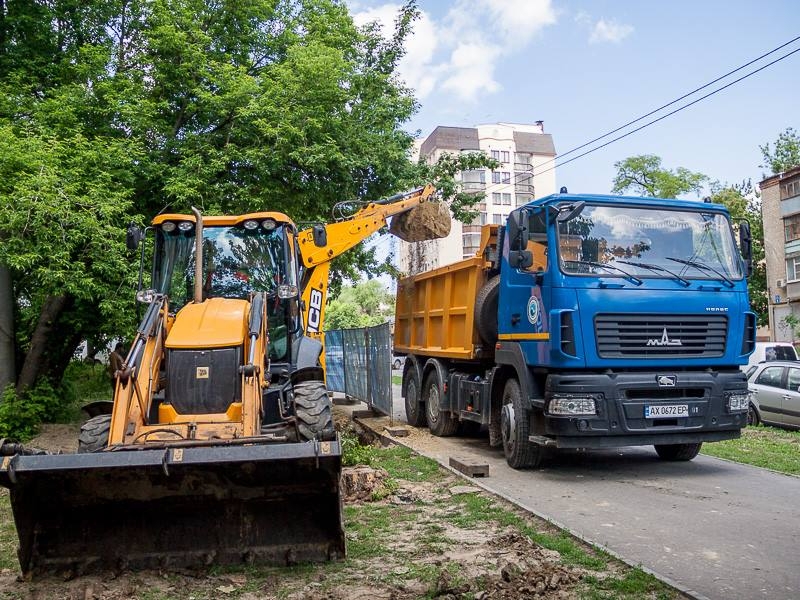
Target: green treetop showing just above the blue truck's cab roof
{"x": 645, "y": 176}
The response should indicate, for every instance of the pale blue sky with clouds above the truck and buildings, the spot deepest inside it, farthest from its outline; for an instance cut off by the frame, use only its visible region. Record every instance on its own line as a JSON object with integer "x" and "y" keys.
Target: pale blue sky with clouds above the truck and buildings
{"x": 585, "y": 68}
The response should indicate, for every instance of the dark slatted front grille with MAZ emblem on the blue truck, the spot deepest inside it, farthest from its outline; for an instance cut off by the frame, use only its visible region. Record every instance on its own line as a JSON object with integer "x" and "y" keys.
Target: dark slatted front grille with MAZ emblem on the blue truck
{"x": 660, "y": 336}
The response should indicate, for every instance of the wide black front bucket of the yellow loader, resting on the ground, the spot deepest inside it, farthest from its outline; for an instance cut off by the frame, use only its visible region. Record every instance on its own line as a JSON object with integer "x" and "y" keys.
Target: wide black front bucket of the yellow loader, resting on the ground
{"x": 177, "y": 507}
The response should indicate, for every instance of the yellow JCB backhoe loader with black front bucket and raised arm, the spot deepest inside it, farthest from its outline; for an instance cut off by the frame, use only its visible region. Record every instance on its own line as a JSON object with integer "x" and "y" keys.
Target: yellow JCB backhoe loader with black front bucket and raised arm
{"x": 220, "y": 445}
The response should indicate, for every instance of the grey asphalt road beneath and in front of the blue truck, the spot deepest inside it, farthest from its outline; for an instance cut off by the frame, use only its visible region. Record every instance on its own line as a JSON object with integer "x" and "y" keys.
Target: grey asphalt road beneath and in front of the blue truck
{"x": 717, "y": 528}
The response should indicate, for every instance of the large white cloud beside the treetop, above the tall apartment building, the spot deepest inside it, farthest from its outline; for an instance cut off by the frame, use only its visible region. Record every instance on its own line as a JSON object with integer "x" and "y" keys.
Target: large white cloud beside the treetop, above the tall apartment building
{"x": 458, "y": 54}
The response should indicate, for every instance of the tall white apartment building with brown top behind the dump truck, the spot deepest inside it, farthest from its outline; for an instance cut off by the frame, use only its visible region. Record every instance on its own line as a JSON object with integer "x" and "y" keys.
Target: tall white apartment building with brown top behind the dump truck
{"x": 522, "y": 150}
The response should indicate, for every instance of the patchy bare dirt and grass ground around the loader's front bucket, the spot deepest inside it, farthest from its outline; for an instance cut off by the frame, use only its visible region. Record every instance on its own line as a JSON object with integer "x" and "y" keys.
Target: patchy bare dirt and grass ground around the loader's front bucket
{"x": 416, "y": 547}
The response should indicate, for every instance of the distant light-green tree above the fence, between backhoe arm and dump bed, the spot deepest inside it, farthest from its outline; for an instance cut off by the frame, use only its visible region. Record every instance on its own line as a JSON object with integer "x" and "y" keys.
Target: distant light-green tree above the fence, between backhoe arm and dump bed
{"x": 363, "y": 305}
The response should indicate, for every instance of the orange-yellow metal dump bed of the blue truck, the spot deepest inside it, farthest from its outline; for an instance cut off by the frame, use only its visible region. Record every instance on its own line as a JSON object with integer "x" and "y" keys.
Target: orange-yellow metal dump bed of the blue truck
{"x": 435, "y": 312}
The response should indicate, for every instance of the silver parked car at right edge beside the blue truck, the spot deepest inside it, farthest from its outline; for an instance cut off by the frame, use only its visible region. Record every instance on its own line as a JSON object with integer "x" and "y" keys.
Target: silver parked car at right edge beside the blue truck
{"x": 775, "y": 394}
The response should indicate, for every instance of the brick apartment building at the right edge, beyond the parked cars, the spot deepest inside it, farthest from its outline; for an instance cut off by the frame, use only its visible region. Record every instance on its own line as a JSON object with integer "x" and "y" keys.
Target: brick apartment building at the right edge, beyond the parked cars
{"x": 780, "y": 211}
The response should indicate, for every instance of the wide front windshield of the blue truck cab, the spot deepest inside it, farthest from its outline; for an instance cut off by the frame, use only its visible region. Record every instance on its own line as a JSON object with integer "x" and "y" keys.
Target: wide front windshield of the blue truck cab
{"x": 645, "y": 242}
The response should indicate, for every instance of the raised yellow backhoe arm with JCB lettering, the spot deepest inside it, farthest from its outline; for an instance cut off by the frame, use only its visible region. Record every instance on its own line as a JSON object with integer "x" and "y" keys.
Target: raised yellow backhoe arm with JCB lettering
{"x": 319, "y": 246}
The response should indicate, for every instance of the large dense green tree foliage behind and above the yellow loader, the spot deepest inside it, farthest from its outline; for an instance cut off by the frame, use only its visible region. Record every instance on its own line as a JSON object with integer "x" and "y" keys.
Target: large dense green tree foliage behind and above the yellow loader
{"x": 113, "y": 111}
